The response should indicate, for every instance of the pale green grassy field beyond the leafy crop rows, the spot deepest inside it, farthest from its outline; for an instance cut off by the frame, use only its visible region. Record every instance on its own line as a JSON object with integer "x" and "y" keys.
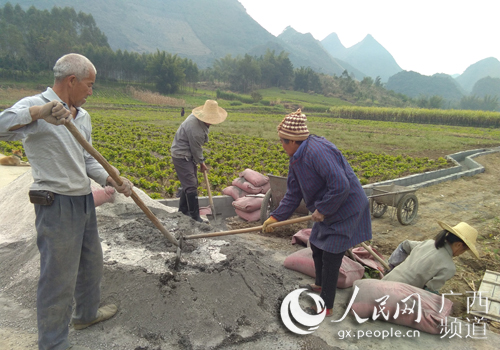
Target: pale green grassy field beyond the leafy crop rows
{"x": 419, "y": 140}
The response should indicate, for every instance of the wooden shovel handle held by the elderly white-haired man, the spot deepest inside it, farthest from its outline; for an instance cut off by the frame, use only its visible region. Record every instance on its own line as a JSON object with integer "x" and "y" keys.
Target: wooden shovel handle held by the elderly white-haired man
{"x": 111, "y": 171}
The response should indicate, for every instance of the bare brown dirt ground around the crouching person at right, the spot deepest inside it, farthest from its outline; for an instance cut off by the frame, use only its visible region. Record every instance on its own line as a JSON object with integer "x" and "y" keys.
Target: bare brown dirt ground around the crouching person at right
{"x": 475, "y": 200}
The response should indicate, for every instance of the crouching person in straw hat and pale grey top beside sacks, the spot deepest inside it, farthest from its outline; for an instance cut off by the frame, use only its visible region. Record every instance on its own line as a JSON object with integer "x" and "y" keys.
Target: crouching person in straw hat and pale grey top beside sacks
{"x": 430, "y": 263}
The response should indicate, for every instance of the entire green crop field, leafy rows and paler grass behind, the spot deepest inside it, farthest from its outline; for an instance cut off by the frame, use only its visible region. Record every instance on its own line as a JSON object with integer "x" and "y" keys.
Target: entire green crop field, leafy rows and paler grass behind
{"x": 135, "y": 136}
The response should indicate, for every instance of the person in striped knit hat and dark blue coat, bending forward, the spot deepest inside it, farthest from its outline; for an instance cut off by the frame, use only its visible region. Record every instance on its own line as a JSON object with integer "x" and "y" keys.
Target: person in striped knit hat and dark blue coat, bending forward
{"x": 320, "y": 174}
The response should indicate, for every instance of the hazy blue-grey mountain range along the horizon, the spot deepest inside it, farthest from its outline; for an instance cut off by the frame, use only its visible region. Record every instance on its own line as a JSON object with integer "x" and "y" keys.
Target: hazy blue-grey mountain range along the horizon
{"x": 206, "y": 30}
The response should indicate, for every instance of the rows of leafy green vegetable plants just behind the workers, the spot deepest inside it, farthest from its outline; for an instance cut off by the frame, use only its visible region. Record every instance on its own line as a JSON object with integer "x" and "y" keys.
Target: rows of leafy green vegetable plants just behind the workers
{"x": 141, "y": 151}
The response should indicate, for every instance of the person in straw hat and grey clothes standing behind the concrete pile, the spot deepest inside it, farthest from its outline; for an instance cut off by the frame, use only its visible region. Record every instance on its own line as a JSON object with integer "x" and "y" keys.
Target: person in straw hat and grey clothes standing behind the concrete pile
{"x": 187, "y": 153}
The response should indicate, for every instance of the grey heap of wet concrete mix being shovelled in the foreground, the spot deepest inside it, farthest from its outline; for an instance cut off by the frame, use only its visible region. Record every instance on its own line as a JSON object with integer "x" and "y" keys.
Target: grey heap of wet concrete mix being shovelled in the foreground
{"x": 226, "y": 293}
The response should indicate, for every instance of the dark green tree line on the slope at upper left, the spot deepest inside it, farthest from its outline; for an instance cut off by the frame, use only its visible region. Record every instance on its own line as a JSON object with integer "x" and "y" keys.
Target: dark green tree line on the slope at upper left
{"x": 31, "y": 41}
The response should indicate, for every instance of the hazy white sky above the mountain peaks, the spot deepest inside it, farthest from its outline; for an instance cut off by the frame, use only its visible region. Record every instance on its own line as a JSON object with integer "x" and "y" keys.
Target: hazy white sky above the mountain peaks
{"x": 426, "y": 36}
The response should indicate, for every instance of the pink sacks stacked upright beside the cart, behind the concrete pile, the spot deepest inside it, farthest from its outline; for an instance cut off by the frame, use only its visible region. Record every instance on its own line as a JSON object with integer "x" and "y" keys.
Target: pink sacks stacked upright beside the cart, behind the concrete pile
{"x": 247, "y": 191}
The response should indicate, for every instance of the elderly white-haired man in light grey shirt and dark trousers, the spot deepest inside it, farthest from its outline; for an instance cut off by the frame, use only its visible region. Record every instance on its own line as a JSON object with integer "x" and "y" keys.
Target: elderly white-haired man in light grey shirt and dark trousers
{"x": 71, "y": 264}
